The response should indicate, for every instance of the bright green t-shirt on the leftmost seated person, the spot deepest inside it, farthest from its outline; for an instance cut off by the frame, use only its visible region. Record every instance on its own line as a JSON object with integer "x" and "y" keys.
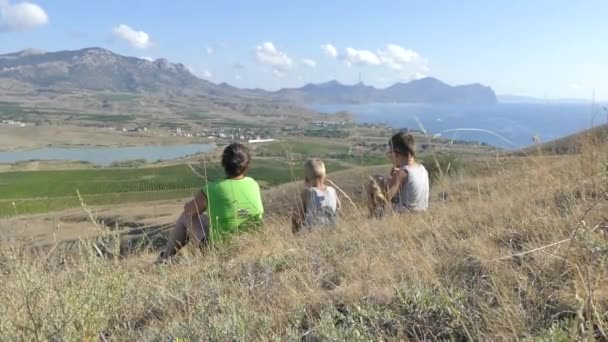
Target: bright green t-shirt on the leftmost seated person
{"x": 233, "y": 204}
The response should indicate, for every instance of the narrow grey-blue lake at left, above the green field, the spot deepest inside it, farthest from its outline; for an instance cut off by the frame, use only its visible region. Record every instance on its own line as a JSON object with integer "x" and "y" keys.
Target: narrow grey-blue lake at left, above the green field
{"x": 105, "y": 156}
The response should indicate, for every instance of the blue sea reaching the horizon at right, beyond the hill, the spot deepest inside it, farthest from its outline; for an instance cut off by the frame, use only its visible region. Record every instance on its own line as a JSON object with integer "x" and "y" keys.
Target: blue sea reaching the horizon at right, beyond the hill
{"x": 516, "y": 122}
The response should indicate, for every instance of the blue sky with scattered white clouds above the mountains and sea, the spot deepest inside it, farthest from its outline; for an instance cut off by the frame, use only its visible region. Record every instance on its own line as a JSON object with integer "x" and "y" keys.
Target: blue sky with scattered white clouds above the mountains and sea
{"x": 540, "y": 48}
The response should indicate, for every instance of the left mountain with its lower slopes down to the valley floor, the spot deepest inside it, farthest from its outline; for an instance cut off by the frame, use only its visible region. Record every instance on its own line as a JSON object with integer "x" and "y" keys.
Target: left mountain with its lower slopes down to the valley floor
{"x": 38, "y": 86}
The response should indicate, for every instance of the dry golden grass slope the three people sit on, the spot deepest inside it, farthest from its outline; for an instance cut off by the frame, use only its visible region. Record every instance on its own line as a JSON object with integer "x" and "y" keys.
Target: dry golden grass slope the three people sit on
{"x": 519, "y": 251}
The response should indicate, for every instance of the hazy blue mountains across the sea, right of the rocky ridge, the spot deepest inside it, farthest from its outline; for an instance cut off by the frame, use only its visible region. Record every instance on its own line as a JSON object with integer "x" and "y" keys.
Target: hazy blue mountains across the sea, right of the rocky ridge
{"x": 426, "y": 90}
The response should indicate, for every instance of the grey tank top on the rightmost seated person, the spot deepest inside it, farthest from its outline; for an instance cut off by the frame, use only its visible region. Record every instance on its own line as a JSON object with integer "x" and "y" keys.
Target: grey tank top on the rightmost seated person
{"x": 414, "y": 194}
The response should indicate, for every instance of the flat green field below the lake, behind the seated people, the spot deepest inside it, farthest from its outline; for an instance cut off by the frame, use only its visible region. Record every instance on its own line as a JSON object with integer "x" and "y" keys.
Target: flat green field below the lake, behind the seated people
{"x": 43, "y": 191}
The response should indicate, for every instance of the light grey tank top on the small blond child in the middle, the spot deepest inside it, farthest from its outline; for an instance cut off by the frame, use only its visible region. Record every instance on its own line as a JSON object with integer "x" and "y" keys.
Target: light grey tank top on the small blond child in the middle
{"x": 321, "y": 206}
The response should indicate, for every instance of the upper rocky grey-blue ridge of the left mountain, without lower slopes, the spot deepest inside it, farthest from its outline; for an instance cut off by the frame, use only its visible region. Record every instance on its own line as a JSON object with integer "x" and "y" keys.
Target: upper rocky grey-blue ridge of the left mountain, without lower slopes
{"x": 99, "y": 69}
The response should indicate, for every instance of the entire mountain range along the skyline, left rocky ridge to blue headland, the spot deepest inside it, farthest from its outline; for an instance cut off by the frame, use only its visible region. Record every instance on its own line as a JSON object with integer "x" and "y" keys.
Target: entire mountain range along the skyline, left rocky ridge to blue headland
{"x": 97, "y": 69}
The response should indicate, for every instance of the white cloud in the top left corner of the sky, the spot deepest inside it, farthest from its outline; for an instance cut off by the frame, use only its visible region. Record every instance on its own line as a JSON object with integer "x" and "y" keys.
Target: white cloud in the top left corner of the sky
{"x": 21, "y": 17}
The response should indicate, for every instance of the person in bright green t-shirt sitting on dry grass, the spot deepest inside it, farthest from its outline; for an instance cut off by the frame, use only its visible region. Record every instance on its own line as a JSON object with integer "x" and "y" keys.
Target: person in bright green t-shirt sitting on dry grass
{"x": 232, "y": 204}
